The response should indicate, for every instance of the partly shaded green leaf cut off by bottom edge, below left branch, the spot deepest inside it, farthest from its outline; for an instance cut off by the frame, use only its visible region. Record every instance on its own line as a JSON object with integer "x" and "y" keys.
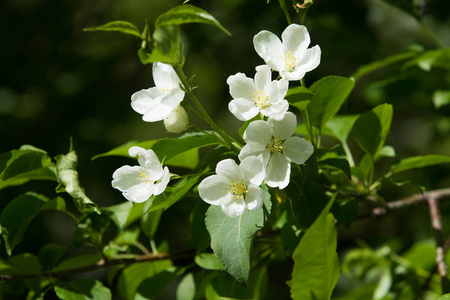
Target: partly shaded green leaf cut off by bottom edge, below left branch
{"x": 82, "y": 289}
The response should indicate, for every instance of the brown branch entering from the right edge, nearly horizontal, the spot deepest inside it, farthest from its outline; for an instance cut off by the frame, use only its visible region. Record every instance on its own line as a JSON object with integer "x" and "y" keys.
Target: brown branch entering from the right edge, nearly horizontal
{"x": 405, "y": 203}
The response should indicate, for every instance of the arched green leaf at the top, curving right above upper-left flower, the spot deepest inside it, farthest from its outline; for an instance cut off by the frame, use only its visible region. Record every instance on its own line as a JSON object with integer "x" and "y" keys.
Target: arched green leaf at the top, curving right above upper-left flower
{"x": 184, "y": 14}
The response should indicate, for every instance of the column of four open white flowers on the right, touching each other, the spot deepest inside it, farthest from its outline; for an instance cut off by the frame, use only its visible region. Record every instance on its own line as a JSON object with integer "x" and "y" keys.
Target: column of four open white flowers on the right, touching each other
{"x": 270, "y": 147}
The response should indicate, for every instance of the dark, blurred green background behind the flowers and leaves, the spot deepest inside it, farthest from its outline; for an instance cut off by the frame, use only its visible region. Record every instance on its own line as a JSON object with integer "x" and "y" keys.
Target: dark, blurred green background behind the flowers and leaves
{"x": 58, "y": 82}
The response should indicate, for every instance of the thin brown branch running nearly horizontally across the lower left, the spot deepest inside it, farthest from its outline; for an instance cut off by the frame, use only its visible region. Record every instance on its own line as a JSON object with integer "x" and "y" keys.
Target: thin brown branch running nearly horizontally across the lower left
{"x": 100, "y": 264}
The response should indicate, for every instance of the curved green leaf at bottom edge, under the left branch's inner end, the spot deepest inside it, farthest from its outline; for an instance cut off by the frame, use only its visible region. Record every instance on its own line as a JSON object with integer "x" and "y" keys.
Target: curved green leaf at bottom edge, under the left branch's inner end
{"x": 133, "y": 275}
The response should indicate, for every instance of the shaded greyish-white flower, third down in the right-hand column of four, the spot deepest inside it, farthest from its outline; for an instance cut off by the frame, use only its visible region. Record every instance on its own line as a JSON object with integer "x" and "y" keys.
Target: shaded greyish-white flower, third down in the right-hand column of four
{"x": 273, "y": 143}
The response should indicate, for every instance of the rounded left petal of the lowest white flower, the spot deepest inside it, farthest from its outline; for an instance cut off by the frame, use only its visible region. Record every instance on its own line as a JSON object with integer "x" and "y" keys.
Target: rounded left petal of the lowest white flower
{"x": 214, "y": 189}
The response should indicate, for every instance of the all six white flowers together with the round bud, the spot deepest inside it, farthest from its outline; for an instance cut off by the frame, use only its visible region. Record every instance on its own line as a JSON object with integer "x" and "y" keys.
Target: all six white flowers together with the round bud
{"x": 270, "y": 147}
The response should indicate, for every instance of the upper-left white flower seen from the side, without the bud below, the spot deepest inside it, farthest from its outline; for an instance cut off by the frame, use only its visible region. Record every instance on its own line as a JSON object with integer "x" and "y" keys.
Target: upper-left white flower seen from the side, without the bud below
{"x": 157, "y": 103}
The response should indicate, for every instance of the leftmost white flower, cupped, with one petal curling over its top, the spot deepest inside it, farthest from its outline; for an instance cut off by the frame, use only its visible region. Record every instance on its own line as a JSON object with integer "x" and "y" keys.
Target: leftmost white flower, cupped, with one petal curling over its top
{"x": 138, "y": 183}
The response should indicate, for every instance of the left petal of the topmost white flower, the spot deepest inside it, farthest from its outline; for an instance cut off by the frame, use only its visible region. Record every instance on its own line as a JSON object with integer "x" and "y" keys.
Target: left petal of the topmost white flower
{"x": 268, "y": 46}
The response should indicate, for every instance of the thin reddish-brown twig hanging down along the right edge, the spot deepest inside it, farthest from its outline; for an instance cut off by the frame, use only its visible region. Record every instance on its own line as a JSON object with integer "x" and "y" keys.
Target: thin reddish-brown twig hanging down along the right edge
{"x": 436, "y": 222}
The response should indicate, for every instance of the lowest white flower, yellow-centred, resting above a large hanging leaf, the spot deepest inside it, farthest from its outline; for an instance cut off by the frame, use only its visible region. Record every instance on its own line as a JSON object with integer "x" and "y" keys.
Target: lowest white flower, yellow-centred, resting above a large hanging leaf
{"x": 235, "y": 187}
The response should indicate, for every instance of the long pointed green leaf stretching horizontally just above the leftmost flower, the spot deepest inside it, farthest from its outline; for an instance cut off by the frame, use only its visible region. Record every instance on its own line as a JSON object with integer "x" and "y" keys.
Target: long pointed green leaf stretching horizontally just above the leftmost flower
{"x": 166, "y": 148}
